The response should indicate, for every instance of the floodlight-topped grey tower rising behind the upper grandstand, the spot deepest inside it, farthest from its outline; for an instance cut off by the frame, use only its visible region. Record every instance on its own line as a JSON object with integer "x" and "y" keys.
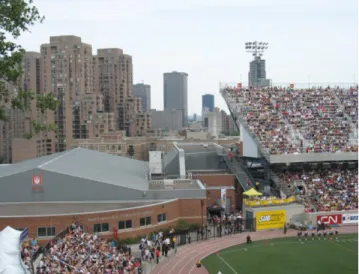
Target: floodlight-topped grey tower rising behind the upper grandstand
{"x": 257, "y": 72}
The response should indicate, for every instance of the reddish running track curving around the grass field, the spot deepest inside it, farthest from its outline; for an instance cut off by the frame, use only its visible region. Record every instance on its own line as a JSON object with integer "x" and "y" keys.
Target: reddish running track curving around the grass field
{"x": 187, "y": 256}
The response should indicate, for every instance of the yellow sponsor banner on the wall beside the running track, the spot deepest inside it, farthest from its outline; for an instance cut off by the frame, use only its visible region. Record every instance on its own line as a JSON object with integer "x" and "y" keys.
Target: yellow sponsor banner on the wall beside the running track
{"x": 270, "y": 219}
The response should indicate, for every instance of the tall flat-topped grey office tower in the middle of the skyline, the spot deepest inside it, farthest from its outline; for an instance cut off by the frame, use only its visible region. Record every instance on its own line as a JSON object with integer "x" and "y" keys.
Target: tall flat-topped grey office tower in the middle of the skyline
{"x": 175, "y": 93}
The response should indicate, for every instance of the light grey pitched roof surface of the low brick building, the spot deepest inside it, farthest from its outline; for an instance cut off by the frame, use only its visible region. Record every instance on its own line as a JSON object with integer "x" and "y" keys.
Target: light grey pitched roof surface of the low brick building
{"x": 88, "y": 164}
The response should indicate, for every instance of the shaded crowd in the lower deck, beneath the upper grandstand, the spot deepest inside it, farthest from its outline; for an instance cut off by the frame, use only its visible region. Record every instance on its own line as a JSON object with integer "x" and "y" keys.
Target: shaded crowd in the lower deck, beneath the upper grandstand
{"x": 329, "y": 189}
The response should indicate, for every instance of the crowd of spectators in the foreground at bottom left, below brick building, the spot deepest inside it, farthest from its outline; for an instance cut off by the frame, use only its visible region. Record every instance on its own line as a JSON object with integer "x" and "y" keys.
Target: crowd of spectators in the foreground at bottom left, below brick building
{"x": 81, "y": 252}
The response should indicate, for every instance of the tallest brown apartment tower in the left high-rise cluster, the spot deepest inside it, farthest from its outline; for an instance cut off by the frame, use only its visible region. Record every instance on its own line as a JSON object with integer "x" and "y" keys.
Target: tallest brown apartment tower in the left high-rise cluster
{"x": 67, "y": 72}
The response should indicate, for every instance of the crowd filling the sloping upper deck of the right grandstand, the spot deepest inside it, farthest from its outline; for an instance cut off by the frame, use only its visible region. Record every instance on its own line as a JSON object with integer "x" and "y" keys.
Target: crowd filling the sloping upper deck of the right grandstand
{"x": 290, "y": 121}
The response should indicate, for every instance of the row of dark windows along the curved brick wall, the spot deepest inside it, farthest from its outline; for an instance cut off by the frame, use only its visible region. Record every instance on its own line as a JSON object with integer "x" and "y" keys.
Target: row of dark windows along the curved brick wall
{"x": 104, "y": 227}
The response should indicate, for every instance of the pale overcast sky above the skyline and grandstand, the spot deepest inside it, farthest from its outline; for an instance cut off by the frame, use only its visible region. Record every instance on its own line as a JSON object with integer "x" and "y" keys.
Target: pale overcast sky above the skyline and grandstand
{"x": 309, "y": 40}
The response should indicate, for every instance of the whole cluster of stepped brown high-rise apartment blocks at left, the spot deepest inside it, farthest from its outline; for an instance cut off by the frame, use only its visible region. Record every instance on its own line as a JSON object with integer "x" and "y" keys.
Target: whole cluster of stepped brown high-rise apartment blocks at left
{"x": 95, "y": 95}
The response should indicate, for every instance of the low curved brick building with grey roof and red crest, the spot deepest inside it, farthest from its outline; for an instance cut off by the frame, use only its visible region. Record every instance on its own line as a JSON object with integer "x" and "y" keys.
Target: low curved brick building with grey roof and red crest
{"x": 101, "y": 191}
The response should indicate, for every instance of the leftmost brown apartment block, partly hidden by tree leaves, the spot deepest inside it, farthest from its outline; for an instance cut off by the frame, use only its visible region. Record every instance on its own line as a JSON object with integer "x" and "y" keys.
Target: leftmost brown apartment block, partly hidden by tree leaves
{"x": 13, "y": 145}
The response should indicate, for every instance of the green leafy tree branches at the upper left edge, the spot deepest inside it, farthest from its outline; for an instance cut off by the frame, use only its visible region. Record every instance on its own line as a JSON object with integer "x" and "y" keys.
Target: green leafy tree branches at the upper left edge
{"x": 16, "y": 17}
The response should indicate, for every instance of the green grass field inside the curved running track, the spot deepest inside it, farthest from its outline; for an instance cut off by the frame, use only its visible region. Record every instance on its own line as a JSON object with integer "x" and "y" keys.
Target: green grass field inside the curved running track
{"x": 283, "y": 256}
